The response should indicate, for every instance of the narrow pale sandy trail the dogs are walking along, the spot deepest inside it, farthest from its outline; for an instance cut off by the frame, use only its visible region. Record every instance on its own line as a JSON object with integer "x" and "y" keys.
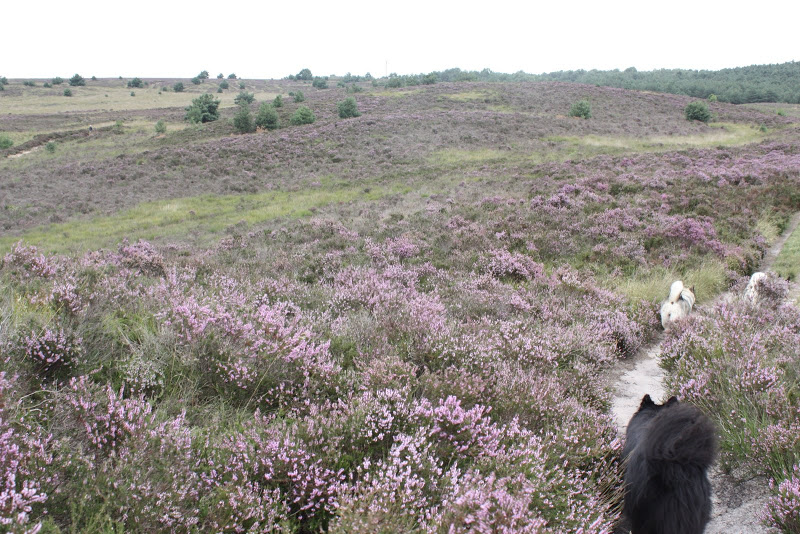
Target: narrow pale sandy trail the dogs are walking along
{"x": 736, "y": 505}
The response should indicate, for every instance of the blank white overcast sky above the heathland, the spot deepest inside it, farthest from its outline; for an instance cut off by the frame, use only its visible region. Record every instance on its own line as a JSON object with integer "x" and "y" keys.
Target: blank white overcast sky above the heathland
{"x": 174, "y": 38}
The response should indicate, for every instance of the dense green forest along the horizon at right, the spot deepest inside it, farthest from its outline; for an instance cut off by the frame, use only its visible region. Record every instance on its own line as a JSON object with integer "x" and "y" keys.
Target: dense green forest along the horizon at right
{"x": 756, "y": 83}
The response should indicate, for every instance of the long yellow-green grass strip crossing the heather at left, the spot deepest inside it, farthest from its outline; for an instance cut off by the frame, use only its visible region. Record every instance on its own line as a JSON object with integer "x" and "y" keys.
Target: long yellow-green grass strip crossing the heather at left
{"x": 203, "y": 219}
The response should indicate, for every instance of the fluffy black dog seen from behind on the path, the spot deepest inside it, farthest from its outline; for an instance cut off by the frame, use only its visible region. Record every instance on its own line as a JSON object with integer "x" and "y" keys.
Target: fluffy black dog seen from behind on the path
{"x": 668, "y": 450}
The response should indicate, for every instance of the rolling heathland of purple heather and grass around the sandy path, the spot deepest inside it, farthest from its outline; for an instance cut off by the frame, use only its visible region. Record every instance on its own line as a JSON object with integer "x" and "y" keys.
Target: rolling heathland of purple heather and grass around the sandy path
{"x": 398, "y": 322}
